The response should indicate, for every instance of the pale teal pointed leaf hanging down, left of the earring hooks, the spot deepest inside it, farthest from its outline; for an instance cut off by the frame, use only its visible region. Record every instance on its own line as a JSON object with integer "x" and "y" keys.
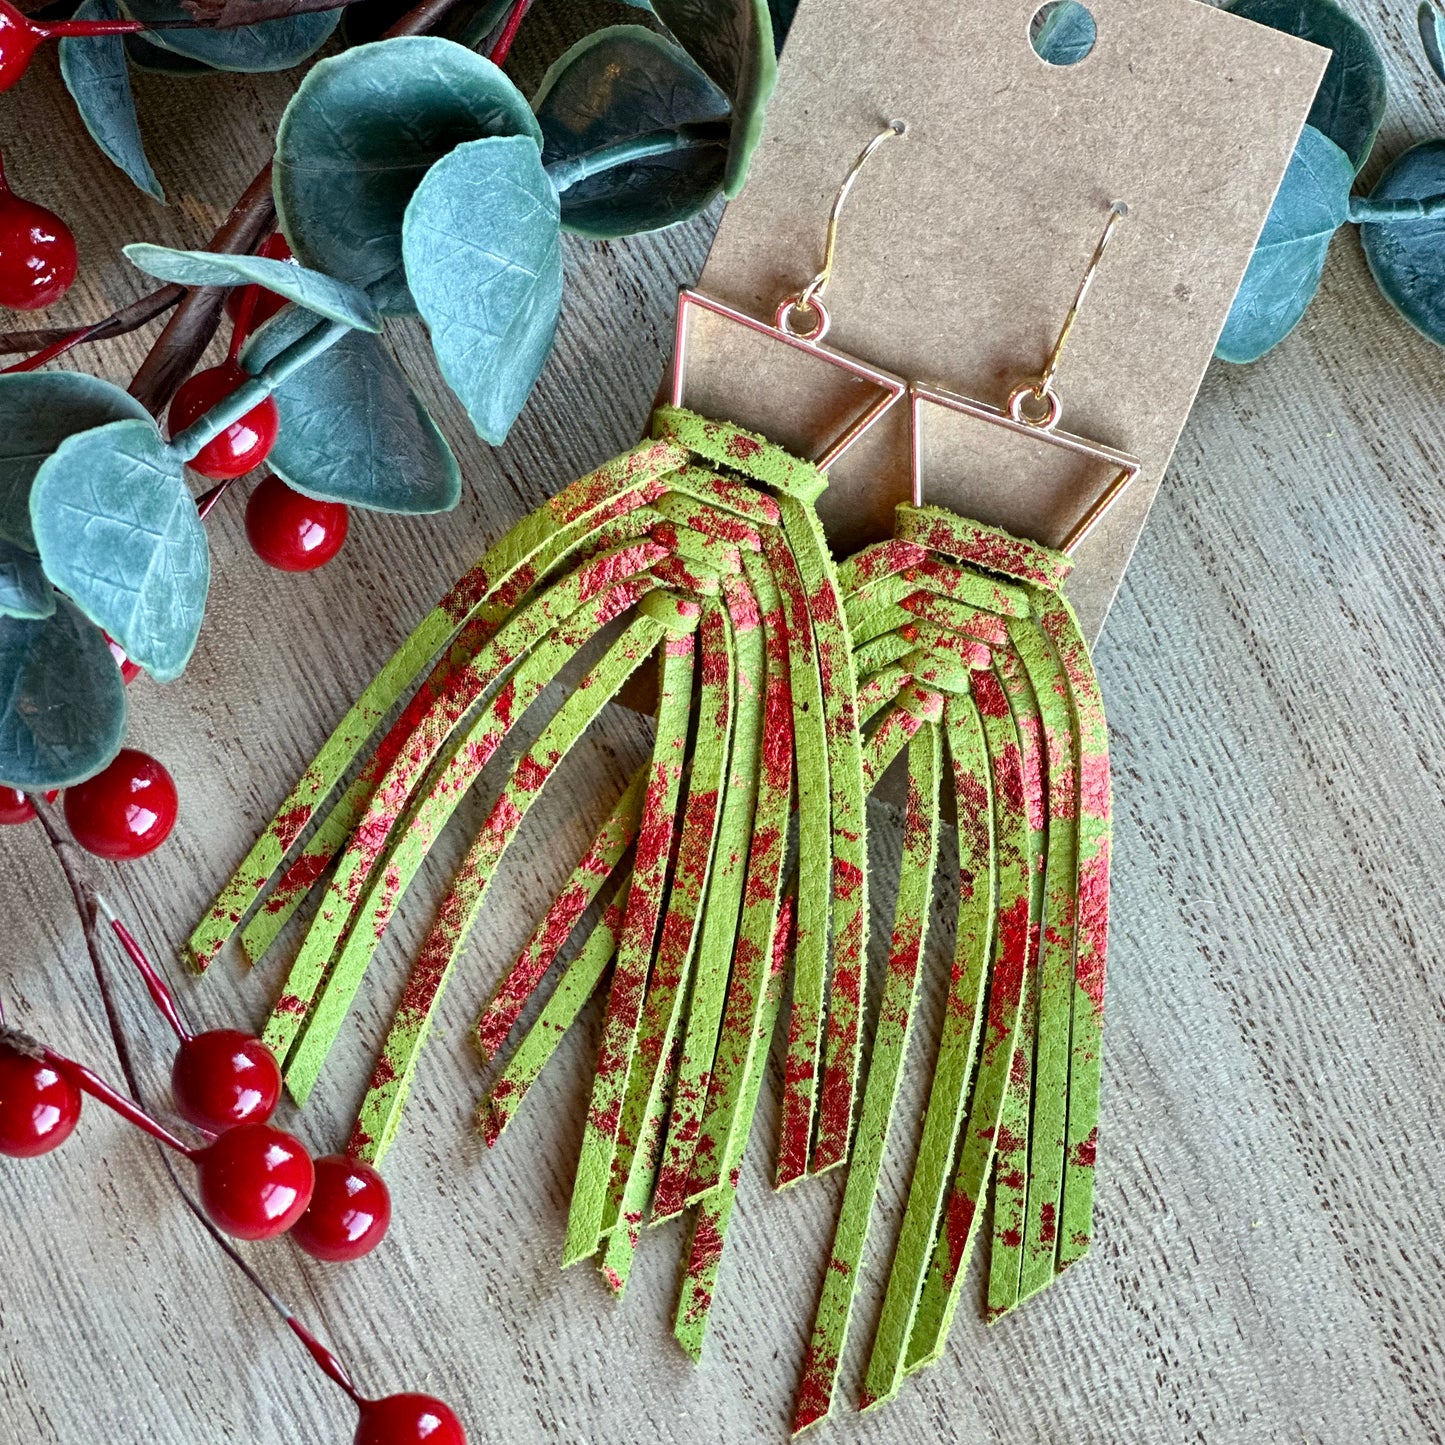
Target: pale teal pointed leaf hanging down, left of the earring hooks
{"x": 485, "y": 262}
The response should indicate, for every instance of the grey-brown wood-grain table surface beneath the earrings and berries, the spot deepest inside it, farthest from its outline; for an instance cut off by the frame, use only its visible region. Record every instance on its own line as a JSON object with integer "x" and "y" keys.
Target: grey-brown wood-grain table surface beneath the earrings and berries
{"x": 1269, "y": 1259}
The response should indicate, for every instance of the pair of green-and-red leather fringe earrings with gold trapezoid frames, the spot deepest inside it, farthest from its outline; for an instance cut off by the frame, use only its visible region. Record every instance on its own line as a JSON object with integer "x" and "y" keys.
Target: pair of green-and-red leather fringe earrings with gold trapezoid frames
{"x": 733, "y": 868}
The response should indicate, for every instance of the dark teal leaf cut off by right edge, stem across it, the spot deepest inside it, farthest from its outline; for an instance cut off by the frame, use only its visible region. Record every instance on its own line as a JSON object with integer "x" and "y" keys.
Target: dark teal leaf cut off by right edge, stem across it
{"x": 1408, "y": 256}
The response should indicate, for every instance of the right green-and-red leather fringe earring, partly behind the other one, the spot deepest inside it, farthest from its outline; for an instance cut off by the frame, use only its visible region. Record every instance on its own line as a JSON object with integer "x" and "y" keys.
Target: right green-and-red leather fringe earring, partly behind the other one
{"x": 969, "y": 657}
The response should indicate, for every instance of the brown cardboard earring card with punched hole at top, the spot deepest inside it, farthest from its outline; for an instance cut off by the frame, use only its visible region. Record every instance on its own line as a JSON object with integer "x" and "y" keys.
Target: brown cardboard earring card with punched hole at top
{"x": 963, "y": 245}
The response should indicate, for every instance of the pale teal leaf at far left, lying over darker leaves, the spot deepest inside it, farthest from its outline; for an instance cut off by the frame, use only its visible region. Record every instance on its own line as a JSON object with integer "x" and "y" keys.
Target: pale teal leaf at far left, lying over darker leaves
{"x": 118, "y": 532}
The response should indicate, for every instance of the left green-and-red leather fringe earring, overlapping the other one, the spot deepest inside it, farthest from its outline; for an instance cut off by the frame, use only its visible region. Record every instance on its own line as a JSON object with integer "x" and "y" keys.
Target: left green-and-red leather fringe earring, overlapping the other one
{"x": 700, "y": 548}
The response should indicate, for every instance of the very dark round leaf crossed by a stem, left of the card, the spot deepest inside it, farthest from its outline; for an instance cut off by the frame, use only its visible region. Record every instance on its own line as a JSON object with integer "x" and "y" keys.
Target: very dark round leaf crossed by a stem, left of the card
{"x": 619, "y": 86}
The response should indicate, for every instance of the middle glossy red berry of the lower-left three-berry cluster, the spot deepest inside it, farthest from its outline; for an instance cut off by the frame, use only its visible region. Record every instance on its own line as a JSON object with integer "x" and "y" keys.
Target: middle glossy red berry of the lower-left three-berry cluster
{"x": 256, "y": 1181}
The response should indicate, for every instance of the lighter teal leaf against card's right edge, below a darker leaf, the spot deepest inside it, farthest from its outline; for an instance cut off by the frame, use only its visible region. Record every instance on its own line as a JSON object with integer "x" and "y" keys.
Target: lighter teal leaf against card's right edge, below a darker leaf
{"x": 1285, "y": 271}
